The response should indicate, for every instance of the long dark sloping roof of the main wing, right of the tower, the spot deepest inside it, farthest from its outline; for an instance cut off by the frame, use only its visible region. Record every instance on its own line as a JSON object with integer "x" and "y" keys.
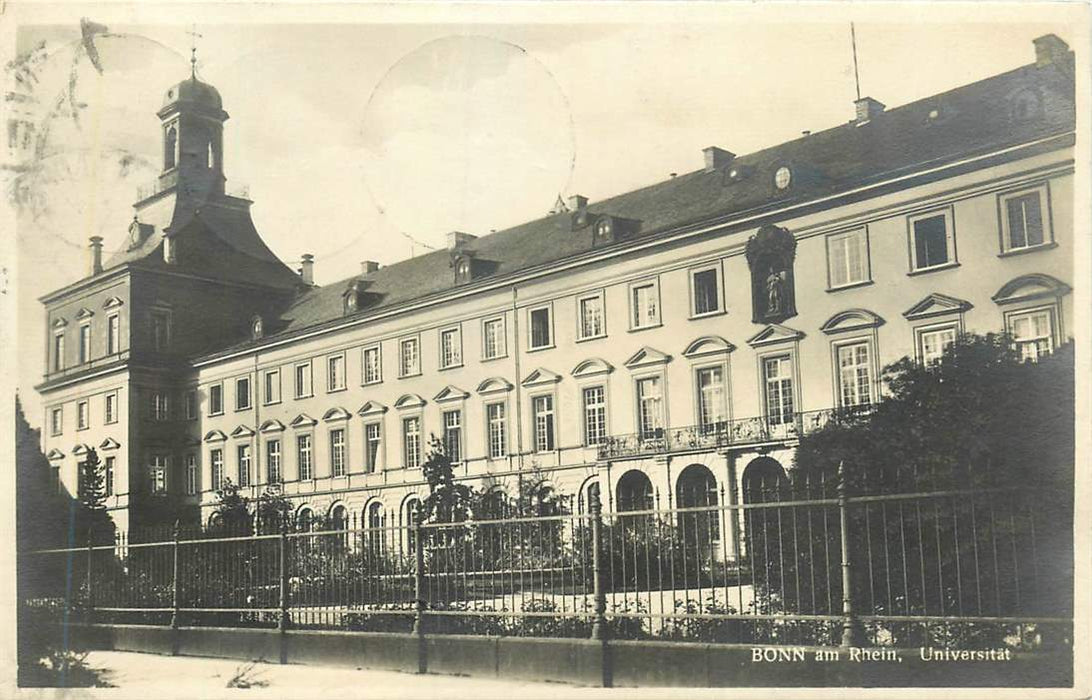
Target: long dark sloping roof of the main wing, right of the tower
{"x": 976, "y": 118}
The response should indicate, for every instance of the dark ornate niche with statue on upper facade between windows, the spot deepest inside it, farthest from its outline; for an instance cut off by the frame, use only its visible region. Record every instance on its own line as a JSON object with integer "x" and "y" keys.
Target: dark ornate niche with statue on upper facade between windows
{"x": 770, "y": 255}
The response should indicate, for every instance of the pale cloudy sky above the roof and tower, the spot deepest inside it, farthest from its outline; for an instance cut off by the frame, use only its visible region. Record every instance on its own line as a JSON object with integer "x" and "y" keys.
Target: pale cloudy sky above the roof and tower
{"x": 367, "y": 140}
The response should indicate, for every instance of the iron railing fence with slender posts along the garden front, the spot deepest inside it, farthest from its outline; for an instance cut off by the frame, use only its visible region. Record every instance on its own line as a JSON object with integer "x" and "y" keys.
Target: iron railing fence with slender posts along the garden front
{"x": 793, "y": 564}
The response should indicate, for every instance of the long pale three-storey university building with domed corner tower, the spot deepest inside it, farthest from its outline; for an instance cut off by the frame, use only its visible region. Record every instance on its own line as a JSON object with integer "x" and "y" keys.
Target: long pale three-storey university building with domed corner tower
{"x": 664, "y": 348}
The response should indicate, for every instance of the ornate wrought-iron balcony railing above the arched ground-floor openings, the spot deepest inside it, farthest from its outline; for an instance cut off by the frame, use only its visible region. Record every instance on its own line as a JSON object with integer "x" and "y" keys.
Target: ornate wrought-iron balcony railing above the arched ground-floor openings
{"x": 741, "y": 432}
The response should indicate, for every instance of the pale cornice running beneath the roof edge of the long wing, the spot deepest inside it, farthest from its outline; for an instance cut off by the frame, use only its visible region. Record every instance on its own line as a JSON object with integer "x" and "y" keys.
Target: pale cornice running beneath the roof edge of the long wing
{"x": 894, "y": 181}
